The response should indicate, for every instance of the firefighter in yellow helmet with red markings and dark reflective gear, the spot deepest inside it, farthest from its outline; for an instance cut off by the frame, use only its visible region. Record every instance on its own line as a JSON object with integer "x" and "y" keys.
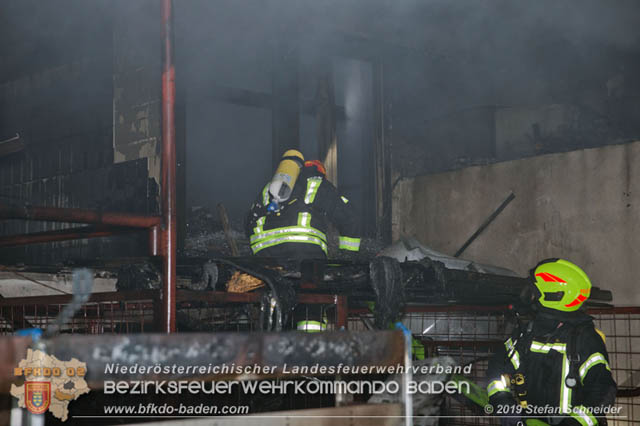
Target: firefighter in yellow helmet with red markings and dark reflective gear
{"x": 557, "y": 365}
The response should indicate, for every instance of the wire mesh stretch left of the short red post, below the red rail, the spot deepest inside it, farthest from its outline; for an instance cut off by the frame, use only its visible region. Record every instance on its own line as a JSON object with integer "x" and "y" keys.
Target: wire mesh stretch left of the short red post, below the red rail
{"x": 137, "y": 312}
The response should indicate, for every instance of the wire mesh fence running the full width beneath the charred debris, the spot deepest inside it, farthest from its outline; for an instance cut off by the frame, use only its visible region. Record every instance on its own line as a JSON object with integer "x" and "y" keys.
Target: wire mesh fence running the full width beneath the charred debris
{"x": 469, "y": 334}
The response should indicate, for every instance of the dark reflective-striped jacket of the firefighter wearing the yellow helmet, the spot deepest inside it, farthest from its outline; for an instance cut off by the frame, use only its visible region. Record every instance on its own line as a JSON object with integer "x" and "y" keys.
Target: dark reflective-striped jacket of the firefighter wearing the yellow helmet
{"x": 534, "y": 368}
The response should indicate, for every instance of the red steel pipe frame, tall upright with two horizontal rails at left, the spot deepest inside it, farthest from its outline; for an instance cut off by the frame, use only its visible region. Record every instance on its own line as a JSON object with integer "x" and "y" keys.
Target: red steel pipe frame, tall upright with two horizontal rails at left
{"x": 162, "y": 229}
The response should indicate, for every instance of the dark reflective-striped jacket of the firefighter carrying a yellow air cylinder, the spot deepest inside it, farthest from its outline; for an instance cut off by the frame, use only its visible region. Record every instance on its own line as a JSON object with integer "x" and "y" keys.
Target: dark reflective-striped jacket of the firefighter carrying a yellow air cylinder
{"x": 299, "y": 228}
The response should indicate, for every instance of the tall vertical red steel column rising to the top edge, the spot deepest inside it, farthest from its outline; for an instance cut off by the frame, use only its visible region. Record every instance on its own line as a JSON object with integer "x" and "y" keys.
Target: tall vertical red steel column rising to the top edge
{"x": 168, "y": 234}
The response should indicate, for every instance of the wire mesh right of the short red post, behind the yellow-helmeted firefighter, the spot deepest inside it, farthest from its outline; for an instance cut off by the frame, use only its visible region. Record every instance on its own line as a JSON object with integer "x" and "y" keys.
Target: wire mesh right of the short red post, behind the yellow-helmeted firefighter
{"x": 471, "y": 334}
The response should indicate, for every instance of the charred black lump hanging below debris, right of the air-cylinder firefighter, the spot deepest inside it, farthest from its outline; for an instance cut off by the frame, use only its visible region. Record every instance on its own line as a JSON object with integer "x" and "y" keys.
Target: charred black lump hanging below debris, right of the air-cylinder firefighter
{"x": 387, "y": 283}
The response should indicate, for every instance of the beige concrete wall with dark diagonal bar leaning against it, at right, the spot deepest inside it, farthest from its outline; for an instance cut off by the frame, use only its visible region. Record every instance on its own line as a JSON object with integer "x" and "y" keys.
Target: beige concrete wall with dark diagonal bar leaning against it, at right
{"x": 581, "y": 205}
